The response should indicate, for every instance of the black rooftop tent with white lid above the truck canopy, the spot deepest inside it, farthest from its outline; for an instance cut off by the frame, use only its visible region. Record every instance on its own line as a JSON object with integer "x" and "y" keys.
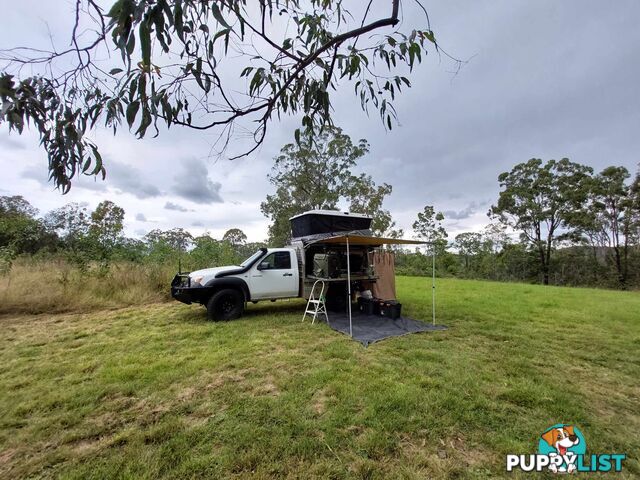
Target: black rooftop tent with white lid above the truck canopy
{"x": 317, "y": 222}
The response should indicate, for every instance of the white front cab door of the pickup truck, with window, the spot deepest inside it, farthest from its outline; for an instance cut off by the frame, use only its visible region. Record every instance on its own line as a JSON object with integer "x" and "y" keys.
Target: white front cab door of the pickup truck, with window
{"x": 276, "y": 276}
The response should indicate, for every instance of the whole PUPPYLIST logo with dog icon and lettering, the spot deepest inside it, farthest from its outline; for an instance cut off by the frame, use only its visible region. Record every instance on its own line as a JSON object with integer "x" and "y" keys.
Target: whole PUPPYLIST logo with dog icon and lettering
{"x": 563, "y": 449}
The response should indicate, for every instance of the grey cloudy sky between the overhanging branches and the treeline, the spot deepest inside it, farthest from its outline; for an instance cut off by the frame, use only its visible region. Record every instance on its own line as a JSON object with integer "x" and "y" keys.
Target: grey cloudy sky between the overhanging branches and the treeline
{"x": 545, "y": 79}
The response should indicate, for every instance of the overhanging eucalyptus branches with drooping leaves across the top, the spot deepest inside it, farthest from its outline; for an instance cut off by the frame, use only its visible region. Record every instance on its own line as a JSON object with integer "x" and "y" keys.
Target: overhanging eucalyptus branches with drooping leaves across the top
{"x": 178, "y": 65}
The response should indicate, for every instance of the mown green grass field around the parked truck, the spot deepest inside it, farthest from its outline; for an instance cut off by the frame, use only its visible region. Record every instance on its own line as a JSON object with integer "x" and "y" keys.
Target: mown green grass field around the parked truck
{"x": 157, "y": 392}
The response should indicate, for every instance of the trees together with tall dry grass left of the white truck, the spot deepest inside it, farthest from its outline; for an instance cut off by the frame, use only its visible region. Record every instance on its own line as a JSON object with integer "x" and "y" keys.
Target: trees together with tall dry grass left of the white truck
{"x": 76, "y": 260}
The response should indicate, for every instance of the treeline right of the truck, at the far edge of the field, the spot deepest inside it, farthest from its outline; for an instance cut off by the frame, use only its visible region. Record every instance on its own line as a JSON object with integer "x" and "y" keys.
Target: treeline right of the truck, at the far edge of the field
{"x": 575, "y": 228}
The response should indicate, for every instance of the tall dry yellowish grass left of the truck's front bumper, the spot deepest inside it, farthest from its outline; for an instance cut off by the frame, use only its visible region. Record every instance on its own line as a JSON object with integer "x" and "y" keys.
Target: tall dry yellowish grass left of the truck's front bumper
{"x": 55, "y": 286}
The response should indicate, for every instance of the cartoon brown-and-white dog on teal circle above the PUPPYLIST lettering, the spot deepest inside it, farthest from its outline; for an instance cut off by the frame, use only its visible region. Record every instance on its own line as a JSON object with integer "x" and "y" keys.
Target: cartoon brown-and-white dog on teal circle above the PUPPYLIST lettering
{"x": 565, "y": 442}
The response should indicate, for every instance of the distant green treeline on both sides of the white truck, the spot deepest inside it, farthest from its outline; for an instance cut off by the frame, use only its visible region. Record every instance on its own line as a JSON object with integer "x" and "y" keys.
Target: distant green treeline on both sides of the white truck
{"x": 575, "y": 227}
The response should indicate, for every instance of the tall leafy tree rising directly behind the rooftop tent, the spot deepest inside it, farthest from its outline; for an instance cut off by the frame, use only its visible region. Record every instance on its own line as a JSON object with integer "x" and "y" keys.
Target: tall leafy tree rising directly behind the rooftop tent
{"x": 315, "y": 175}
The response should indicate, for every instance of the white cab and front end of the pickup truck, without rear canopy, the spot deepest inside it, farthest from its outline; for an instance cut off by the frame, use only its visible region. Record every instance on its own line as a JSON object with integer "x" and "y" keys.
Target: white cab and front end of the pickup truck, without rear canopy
{"x": 268, "y": 274}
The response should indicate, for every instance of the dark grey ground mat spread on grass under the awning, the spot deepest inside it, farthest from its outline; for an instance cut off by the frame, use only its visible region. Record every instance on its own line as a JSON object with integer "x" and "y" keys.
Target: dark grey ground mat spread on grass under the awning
{"x": 372, "y": 328}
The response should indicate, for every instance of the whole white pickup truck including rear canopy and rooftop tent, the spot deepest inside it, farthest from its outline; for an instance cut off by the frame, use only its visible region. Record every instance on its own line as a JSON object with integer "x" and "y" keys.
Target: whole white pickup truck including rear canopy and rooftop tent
{"x": 317, "y": 251}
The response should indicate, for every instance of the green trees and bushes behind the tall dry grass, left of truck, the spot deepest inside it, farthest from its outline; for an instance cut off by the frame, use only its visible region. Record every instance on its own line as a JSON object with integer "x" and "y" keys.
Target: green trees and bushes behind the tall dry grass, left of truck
{"x": 92, "y": 241}
